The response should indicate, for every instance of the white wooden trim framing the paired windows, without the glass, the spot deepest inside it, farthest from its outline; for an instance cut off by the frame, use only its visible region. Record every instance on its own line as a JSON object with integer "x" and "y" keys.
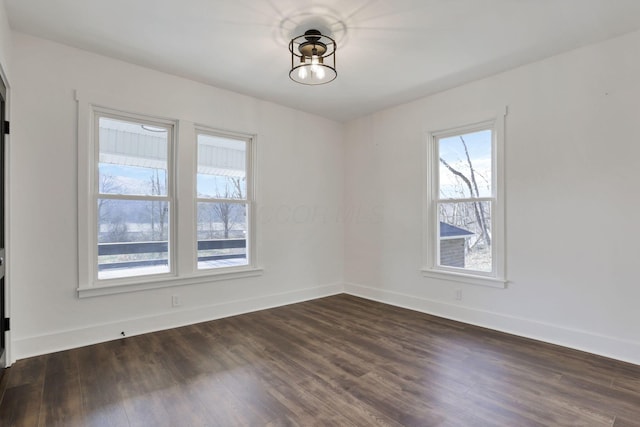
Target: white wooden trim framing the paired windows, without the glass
{"x": 183, "y": 244}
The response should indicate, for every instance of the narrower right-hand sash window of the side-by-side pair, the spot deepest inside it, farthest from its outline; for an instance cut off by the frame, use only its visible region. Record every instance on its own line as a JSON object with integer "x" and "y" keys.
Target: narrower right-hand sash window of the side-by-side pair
{"x": 223, "y": 200}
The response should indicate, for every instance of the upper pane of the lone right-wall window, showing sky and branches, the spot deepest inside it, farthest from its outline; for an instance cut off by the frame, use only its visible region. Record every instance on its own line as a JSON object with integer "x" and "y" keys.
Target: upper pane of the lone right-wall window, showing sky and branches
{"x": 465, "y": 165}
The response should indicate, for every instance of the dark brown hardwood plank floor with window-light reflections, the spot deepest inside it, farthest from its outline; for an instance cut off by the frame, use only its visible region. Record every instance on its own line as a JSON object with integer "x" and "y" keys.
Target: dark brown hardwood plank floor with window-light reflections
{"x": 340, "y": 361}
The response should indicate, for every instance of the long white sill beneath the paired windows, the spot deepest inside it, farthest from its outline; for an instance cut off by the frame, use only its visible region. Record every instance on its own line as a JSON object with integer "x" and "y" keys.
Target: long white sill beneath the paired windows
{"x": 165, "y": 282}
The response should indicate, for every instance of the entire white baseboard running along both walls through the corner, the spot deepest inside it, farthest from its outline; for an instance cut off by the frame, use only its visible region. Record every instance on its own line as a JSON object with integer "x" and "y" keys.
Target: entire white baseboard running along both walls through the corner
{"x": 615, "y": 348}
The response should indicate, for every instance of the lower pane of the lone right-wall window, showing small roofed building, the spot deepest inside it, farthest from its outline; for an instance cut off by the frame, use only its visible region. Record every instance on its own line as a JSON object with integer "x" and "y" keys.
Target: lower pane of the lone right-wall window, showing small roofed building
{"x": 465, "y": 235}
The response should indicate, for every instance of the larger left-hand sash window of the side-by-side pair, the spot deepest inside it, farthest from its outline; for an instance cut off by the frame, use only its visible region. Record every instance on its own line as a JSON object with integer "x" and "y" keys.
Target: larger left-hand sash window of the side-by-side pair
{"x": 133, "y": 196}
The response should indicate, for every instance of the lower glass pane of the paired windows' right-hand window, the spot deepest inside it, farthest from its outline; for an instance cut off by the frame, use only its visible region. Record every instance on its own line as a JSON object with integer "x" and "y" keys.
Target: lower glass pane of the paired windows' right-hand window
{"x": 222, "y": 235}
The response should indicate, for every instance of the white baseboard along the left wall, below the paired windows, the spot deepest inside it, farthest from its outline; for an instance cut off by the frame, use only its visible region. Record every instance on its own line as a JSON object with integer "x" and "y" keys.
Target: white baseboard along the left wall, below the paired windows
{"x": 93, "y": 334}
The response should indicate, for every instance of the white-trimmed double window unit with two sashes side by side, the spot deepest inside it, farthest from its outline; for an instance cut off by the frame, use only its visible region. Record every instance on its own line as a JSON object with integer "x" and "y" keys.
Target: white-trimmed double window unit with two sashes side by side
{"x": 161, "y": 202}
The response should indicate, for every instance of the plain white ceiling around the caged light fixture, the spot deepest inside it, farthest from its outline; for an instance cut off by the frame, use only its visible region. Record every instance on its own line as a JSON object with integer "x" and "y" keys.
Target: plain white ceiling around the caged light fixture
{"x": 389, "y": 51}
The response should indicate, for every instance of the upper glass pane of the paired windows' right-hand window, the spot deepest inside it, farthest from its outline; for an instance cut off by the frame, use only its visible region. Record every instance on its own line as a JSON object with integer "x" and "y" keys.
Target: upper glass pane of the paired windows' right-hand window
{"x": 221, "y": 167}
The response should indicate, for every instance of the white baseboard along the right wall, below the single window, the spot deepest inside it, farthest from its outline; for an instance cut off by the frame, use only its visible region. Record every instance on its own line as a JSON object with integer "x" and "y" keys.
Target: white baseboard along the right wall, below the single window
{"x": 612, "y": 347}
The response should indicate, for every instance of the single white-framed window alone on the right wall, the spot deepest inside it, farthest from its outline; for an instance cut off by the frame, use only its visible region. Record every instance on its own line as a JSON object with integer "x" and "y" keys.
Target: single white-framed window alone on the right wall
{"x": 465, "y": 204}
